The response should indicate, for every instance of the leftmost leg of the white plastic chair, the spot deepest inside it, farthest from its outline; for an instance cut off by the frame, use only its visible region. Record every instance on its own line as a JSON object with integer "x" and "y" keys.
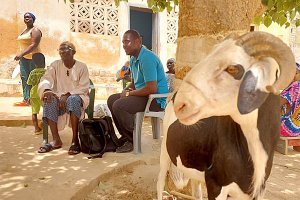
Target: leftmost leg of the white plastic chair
{"x": 138, "y": 122}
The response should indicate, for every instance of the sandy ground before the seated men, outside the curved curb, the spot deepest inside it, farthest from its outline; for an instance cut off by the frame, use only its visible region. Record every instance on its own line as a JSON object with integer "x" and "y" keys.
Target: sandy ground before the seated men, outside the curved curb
{"x": 26, "y": 174}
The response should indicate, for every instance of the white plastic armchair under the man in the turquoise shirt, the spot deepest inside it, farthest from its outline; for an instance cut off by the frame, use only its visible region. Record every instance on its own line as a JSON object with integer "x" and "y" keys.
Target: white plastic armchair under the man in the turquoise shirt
{"x": 155, "y": 122}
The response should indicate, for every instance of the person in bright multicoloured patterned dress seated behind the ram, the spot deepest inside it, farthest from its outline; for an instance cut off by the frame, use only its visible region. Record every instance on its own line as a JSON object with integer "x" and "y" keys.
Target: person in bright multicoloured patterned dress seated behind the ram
{"x": 290, "y": 106}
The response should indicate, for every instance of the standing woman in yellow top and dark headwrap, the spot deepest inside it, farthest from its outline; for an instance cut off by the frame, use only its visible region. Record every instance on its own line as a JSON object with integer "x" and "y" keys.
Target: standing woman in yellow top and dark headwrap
{"x": 29, "y": 43}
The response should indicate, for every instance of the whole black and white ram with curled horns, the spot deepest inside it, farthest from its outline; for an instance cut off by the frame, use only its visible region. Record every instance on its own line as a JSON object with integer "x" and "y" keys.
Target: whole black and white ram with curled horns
{"x": 234, "y": 93}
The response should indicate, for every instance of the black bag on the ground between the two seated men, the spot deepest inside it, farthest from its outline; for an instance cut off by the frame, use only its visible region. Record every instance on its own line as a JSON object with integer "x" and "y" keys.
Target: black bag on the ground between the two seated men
{"x": 97, "y": 136}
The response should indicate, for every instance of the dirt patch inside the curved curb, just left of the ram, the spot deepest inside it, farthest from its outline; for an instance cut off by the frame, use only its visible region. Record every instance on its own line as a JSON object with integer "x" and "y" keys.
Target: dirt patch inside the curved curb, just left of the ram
{"x": 133, "y": 182}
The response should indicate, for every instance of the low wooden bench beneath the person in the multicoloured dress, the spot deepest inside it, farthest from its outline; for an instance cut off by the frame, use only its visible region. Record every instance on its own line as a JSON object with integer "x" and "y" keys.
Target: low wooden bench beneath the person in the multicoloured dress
{"x": 284, "y": 142}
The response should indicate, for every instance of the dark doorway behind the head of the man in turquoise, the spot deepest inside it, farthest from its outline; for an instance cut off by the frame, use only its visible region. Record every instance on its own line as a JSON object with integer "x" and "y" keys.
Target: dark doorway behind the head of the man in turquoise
{"x": 141, "y": 20}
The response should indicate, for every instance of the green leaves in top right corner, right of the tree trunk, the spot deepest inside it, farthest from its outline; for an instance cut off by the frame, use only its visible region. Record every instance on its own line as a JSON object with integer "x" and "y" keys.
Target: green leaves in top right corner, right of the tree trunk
{"x": 282, "y": 12}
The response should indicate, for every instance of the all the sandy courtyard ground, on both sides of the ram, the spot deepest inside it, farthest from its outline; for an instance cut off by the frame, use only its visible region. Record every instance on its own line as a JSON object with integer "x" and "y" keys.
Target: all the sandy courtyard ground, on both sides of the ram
{"x": 25, "y": 174}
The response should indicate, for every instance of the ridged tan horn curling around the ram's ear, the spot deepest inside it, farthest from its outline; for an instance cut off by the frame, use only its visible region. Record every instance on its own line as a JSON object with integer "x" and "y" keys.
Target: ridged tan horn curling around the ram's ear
{"x": 261, "y": 44}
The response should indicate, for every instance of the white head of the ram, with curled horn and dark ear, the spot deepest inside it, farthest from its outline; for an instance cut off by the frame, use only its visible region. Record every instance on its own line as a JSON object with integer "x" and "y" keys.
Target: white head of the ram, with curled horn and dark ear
{"x": 235, "y": 78}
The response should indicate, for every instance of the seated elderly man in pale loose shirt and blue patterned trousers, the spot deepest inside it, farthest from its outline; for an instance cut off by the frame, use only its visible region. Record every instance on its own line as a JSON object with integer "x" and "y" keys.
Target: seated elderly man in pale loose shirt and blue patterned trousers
{"x": 64, "y": 89}
